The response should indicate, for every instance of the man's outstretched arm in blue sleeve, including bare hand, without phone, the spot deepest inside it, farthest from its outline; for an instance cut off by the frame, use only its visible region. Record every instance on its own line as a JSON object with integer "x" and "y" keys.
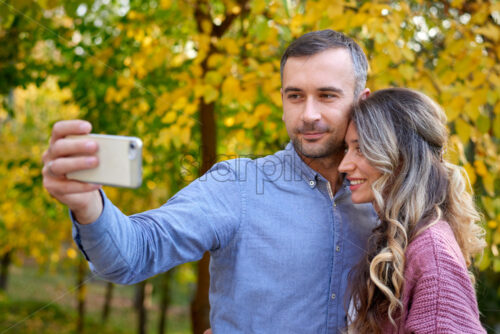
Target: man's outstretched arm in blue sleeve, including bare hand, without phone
{"x": 203, "y": 216}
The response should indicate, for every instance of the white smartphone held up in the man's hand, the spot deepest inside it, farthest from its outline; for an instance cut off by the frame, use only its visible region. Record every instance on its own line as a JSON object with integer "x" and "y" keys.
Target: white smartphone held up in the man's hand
{"x": 120, "y": 162}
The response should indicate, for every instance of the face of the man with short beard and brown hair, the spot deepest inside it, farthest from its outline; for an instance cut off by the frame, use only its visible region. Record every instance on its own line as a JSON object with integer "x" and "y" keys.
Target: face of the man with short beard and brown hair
{"x": 317, "y": 94}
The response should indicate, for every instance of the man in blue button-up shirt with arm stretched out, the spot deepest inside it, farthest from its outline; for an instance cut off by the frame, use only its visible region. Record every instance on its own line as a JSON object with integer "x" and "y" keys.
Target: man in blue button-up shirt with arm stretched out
{"x": 282, "y": 230}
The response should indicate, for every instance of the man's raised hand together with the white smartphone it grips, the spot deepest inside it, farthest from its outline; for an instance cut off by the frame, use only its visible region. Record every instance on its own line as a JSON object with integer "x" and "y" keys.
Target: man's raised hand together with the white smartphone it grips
{"x": 77, "y": 163}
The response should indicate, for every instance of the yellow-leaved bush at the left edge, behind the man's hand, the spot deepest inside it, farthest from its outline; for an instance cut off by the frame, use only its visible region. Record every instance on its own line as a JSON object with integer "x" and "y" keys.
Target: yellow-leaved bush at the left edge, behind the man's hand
{"x": 30, "y": 221}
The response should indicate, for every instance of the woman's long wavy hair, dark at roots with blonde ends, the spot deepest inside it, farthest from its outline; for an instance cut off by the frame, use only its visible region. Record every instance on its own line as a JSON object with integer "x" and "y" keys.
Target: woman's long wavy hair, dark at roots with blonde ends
{"x": 403, "y": 134}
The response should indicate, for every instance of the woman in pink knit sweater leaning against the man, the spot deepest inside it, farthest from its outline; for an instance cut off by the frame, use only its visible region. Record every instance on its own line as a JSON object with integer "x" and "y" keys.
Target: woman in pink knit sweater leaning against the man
{"x": 414, "y": 277}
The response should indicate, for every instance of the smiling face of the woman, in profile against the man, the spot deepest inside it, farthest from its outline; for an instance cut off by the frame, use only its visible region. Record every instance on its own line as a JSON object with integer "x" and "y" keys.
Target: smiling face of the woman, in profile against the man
{"x": 359, "y": 171}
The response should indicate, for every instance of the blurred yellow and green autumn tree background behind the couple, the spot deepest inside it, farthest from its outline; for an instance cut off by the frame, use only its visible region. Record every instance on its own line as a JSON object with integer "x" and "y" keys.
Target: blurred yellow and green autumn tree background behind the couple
{"x": 199, "y": 81}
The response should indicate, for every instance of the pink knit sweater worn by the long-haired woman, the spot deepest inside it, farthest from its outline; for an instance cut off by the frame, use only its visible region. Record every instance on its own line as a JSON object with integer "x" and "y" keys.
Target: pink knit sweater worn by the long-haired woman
{"x": 438, "y": 296}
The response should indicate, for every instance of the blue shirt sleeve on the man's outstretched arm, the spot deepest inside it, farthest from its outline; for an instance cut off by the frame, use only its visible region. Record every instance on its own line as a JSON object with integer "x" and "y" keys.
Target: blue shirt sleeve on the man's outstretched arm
{"x": 204, "y": 216}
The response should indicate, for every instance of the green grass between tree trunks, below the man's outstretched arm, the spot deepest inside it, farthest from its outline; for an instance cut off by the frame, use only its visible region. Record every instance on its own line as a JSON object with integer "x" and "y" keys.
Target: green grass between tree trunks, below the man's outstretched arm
{"x": 45, "y": 302}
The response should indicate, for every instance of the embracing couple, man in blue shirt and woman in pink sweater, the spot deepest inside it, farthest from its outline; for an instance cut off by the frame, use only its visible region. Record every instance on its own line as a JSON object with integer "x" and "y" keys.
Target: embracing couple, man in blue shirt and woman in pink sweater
{"x": 388, "y": 238}
